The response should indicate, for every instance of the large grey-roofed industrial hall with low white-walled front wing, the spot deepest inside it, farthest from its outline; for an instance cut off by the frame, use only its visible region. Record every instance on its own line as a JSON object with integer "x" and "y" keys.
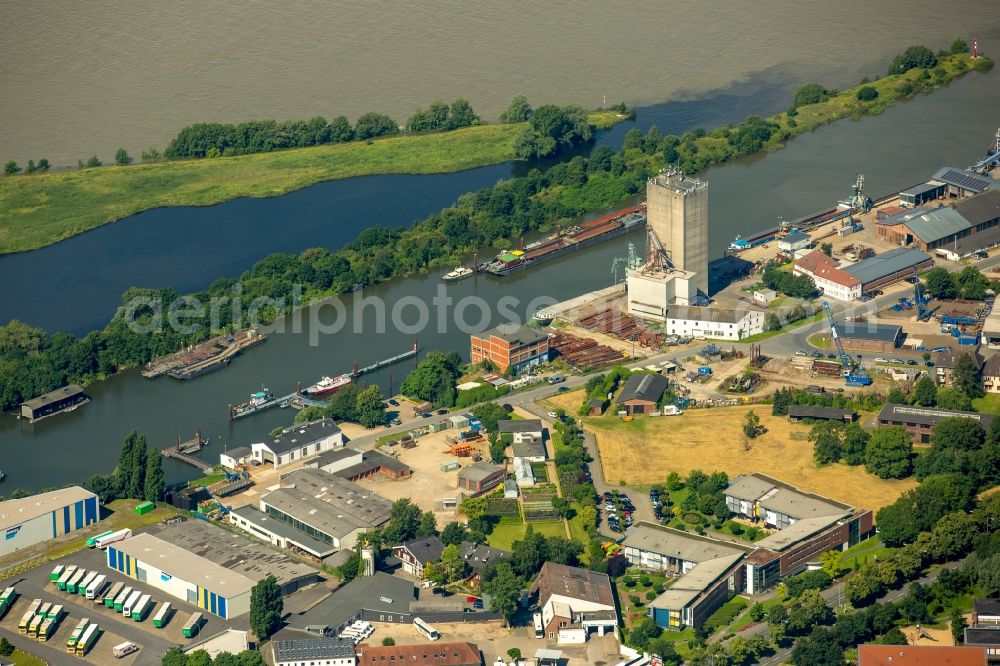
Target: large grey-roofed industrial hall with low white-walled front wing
{"x": 323, "y": 506}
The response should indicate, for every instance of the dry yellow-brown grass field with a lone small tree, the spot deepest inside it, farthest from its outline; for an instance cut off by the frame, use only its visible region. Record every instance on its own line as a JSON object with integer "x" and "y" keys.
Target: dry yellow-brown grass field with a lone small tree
{"x": 647, "y": 449}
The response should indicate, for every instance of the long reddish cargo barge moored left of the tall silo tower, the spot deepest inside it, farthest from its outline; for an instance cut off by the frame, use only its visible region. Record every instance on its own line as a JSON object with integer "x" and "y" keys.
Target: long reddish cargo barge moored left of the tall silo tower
{"x": 570, "y": 239}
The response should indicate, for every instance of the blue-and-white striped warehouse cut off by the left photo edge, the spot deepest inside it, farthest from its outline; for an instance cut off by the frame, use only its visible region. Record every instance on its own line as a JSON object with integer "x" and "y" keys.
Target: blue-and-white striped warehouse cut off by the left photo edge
{"x": 31, "y": 520}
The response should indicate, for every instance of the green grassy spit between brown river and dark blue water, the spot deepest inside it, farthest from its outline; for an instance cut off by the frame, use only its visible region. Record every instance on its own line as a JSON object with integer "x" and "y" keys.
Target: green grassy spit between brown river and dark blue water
{"x": 42, "y": 208}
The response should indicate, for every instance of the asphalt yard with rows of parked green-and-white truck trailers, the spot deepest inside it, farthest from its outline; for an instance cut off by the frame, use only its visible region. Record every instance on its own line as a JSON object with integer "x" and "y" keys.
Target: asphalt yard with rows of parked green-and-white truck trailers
{"x": 114, "y": 627}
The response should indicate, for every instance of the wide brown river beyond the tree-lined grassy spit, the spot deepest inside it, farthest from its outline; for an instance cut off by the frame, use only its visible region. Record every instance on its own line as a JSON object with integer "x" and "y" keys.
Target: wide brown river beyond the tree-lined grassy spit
{"x": 80, "y": 78}
